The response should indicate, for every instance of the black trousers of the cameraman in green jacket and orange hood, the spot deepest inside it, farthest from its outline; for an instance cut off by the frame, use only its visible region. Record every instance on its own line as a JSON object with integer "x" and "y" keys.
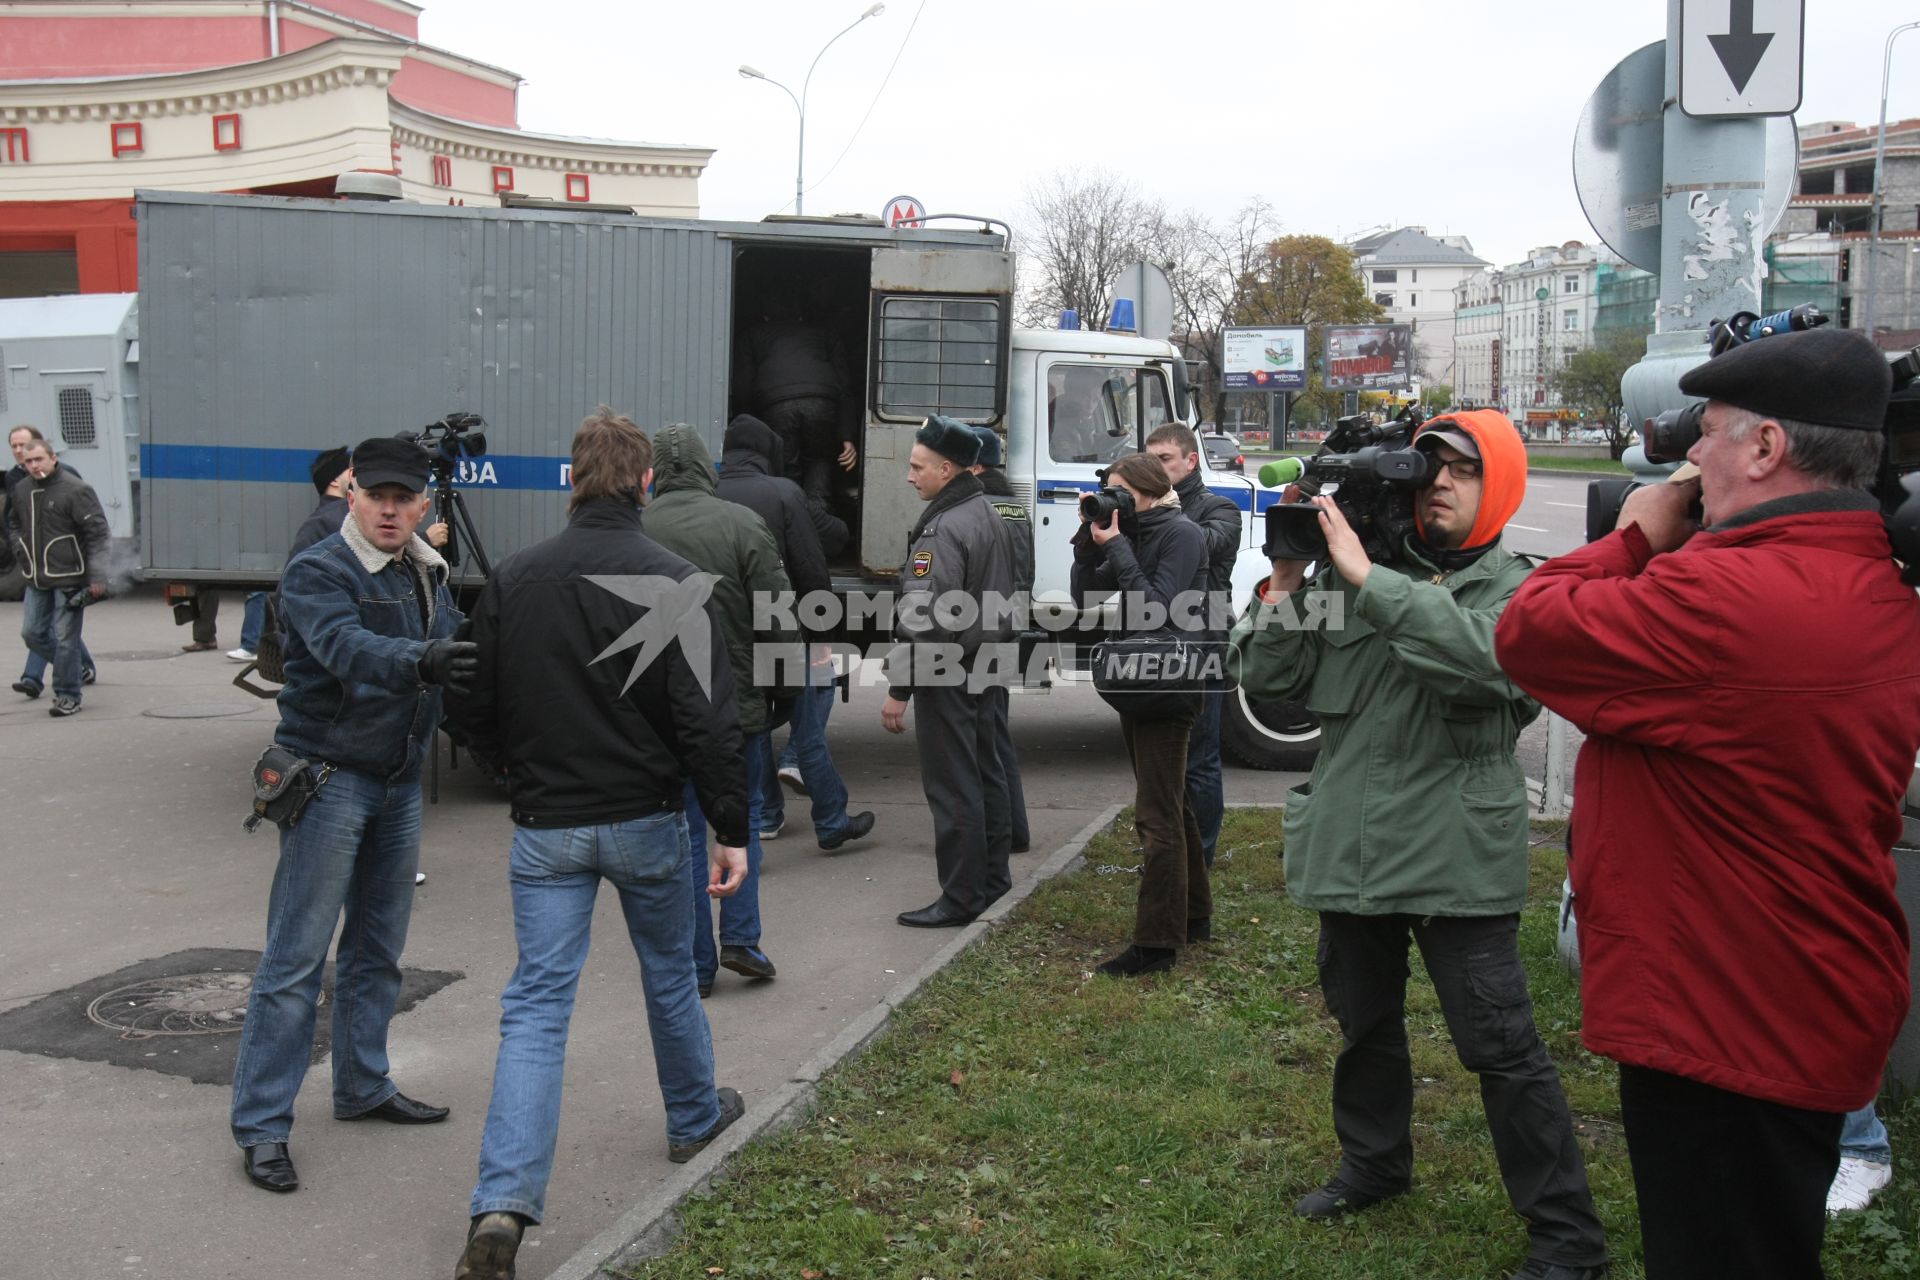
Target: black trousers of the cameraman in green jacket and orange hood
{"x": 1476, "y": 966}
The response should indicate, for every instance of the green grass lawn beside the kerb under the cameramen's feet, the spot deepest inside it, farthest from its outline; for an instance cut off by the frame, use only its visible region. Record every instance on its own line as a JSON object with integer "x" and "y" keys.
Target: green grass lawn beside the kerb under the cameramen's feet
{"x": 1026, "y": 1120}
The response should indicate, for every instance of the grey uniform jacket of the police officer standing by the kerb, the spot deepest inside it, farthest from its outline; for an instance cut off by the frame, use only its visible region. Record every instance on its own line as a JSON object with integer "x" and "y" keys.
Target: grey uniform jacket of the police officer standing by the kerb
{"x": 961, "y": 546}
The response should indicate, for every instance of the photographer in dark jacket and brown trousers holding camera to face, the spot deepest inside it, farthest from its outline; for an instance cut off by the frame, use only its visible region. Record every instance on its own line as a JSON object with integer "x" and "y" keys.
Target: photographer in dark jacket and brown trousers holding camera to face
{"x": 1138, "y": 540}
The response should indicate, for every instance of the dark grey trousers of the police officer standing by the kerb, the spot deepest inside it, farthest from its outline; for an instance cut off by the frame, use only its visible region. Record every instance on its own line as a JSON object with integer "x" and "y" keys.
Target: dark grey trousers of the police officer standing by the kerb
{"x": 967, "y": 790}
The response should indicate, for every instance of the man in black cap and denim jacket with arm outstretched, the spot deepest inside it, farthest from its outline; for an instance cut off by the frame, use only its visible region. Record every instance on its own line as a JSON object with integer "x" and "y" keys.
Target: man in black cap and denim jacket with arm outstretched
{"x": 370, "y": 644}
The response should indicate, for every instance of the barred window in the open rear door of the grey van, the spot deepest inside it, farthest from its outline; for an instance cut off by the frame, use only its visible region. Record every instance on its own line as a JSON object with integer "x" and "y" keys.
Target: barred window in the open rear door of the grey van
{"x": 938, "y": 356}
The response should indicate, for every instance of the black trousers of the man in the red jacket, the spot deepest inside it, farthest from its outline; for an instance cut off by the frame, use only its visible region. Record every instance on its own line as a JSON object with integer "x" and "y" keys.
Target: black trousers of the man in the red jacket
{"x": 1729, "y": 1187}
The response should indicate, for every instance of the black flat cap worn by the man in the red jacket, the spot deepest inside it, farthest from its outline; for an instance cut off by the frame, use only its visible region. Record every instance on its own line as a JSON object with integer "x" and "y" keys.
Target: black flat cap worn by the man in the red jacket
{"x": 1827, "y": 377}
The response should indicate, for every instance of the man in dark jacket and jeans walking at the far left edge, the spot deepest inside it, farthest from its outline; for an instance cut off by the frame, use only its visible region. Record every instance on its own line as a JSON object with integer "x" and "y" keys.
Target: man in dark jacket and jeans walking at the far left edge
{"x": 62, "y": 546}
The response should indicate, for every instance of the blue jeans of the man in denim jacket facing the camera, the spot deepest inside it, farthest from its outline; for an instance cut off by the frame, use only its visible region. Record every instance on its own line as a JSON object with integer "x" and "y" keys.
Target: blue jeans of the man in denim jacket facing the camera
{"x": 352, "y": 851}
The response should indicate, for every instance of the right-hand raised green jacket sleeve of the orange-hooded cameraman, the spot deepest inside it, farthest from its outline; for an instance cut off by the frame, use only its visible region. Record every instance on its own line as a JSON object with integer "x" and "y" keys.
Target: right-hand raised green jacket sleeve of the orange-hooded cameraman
{"x": 1443, "y": 644}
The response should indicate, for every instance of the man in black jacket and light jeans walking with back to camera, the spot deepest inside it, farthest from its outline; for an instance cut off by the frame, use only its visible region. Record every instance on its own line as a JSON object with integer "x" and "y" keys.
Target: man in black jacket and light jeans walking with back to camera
{"x": 602, "y": 686}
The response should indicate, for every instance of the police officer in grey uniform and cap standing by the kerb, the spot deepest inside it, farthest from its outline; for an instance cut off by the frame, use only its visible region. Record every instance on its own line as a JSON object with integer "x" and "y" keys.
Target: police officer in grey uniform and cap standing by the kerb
{"x": 961, "y": 548}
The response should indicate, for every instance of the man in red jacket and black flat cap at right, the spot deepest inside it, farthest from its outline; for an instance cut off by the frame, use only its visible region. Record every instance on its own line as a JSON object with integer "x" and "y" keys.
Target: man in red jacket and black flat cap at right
{"x": 1752, "y": 701}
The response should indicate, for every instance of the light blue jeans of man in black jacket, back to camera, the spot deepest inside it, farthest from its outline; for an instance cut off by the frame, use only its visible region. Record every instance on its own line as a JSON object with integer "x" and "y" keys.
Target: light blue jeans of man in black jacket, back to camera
{"x": 556, "y": 876}
